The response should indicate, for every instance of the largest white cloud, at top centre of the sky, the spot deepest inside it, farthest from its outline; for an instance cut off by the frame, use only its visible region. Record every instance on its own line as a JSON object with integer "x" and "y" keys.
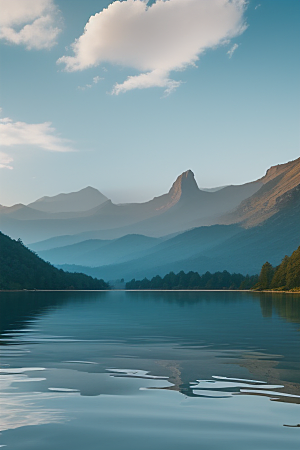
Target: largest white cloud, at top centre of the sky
{"x": 155, "y": 39}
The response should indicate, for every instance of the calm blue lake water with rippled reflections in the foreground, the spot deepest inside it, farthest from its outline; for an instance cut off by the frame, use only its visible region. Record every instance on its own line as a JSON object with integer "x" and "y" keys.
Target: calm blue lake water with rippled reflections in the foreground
{"x": 132, "y": 370}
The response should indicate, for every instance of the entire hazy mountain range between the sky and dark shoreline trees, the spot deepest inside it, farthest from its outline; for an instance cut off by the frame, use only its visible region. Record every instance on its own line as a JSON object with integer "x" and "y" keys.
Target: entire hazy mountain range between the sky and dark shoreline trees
{"x": 236, "y": 228}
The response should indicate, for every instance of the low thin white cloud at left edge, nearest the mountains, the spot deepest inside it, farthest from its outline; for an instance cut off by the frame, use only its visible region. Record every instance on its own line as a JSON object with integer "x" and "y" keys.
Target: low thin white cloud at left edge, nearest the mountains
{"x": 41, "y": 135}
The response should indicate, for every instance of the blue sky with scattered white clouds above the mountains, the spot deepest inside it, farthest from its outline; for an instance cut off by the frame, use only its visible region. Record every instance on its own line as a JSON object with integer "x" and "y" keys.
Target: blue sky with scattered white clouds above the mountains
{"x": 125, "y": 96}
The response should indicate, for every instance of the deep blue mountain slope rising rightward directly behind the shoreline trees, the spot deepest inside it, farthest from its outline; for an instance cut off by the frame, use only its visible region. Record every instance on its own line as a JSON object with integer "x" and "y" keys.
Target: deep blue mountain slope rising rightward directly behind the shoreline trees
{"x": 215, "y": 248}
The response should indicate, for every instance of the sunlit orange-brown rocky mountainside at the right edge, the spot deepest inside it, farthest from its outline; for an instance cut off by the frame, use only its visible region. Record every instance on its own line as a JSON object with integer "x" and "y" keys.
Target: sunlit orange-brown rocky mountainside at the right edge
{"x": 270, "y": 198}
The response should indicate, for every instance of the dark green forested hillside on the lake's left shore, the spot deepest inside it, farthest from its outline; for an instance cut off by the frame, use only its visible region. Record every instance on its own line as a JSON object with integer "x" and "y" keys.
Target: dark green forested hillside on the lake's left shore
{"x": 22, "y": 269}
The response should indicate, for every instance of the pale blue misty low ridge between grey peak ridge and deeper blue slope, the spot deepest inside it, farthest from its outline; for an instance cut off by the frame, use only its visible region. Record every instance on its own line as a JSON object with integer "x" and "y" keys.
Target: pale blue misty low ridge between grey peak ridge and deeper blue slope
{"x": 100, "y": 252}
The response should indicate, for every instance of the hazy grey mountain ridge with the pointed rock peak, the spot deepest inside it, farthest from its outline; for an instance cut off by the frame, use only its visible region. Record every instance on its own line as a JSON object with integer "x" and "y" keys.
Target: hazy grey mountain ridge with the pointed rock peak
{"x": 185, "y": 206}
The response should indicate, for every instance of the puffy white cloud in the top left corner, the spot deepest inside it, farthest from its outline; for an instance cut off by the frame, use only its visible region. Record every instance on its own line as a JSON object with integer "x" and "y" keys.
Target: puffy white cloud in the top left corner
{"x": 33, "y": 23}
